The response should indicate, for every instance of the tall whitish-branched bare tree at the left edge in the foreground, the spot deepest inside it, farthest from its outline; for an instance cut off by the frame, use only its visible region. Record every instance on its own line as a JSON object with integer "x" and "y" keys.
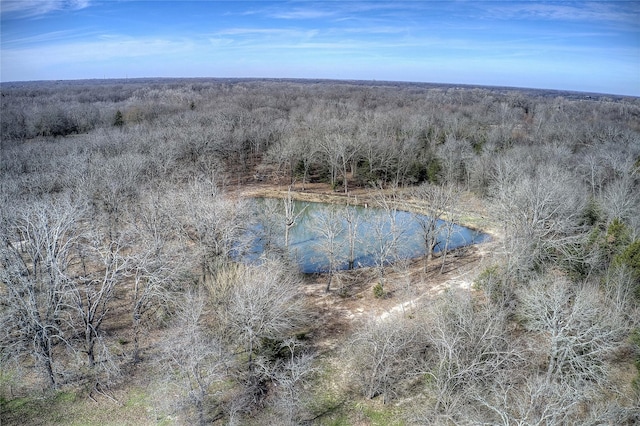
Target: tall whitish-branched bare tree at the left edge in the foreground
{"x": 38, "y": 252}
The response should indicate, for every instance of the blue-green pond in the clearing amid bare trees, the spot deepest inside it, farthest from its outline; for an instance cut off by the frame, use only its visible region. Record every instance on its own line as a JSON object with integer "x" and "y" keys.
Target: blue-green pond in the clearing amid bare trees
{"x": 328, "y": 237}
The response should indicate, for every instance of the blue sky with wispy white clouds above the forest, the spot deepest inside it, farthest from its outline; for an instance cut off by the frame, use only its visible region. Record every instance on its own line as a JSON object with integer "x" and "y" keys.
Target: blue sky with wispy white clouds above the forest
{"x": 584, "y": 46}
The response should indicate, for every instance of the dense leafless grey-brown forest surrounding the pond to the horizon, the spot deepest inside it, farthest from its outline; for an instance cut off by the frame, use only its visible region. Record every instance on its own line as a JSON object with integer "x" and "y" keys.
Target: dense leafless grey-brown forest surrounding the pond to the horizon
{"x": 123, "y": 205}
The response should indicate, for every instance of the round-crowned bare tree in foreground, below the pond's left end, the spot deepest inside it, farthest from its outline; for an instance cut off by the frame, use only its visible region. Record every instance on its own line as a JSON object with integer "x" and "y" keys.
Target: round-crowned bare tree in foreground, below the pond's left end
{"x": 254, "y": 309}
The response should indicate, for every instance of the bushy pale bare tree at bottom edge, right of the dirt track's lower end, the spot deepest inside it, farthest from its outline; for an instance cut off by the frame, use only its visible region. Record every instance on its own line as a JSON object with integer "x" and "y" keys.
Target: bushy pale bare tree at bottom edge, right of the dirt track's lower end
{"x": 469, "y": 347}
